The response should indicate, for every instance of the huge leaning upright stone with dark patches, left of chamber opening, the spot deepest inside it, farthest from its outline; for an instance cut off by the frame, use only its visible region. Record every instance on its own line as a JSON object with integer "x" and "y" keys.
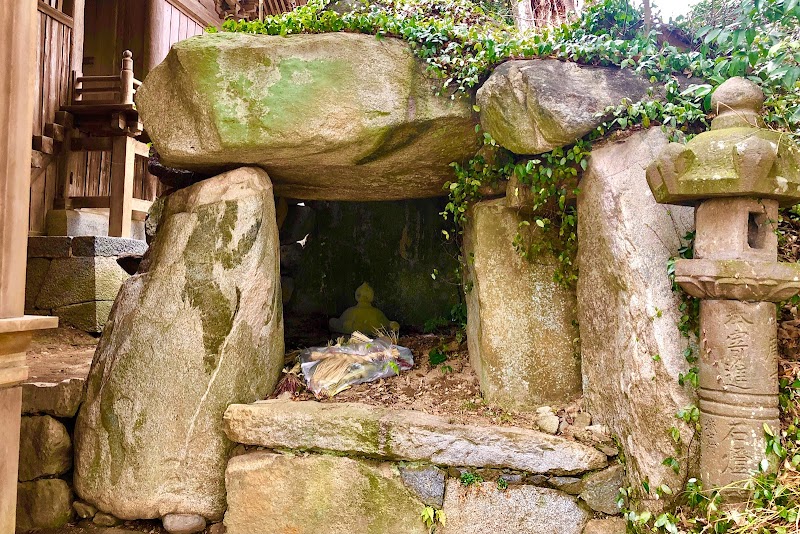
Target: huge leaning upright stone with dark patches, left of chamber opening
{"x": 200, "y": 327}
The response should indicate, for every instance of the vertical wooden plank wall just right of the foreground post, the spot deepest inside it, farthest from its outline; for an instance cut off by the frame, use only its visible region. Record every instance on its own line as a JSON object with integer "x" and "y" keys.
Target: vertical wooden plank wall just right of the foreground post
{"x": 52, "y": 90}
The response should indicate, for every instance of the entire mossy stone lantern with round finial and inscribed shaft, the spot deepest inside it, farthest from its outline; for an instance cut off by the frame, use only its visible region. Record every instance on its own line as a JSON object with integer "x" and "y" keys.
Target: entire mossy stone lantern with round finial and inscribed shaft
{"x": 737, "y": 174}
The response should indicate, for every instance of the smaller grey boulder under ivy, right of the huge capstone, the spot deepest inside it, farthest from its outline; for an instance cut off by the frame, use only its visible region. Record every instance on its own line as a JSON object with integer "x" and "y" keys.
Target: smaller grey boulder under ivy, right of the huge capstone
{"x": 533, "y": 106}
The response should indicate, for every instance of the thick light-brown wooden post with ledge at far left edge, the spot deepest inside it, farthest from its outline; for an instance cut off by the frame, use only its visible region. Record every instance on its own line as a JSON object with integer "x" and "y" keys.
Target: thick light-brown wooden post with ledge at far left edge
{"x": 17, "y": 59}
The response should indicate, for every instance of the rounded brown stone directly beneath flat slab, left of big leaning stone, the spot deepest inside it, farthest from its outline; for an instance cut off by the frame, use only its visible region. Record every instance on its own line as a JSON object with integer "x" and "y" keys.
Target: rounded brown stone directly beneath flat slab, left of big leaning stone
{"x": 46, "y": 449}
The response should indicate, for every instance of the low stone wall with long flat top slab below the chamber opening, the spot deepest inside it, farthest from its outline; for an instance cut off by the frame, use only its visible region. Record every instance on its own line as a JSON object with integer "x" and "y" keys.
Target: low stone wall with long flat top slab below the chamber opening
{"x": 341, "y": 468}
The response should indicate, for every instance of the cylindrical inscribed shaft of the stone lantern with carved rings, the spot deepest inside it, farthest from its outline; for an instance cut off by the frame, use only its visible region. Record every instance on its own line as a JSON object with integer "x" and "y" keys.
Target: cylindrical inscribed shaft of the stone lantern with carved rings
{"x": 738, "y": 388}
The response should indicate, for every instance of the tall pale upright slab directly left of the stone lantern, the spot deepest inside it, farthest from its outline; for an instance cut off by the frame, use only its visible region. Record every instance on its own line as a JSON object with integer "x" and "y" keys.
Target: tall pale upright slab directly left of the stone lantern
{"x": 630, "y": 344}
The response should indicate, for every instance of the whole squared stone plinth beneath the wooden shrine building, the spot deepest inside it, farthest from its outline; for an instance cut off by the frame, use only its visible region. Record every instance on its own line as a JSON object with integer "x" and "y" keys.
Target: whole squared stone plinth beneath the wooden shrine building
{"x": 76, "y": 278}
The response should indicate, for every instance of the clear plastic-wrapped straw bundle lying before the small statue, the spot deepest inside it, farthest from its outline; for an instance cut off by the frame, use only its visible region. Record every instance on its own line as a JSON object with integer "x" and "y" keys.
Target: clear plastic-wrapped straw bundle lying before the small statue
{"x": 331, "y": 370}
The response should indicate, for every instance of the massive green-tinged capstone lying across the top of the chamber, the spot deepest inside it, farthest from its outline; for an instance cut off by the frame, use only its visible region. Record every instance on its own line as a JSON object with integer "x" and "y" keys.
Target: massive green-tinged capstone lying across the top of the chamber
{"x": 330, "y": 116}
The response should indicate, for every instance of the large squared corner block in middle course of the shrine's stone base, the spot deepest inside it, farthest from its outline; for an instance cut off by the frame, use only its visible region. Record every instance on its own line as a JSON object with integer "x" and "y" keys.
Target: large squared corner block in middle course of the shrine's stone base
{"x": 77, "y": 280}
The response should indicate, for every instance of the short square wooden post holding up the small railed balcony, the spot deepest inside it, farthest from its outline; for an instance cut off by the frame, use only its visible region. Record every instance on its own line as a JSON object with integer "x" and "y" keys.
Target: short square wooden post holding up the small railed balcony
{"x": 123, "y": 158}
